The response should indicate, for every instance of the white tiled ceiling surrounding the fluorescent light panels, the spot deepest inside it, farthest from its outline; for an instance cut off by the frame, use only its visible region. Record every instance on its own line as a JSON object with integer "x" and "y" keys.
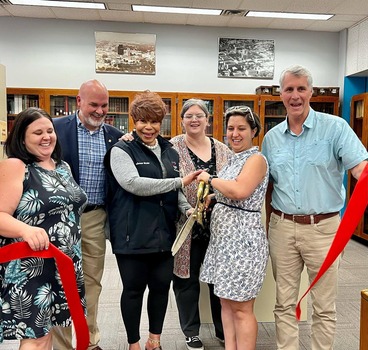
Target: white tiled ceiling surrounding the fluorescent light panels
{"x": 347, "y": 13}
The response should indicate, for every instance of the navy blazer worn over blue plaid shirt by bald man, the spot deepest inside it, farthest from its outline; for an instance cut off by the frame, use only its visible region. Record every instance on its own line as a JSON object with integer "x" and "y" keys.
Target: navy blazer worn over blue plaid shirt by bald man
{"x": 66, "y": 130}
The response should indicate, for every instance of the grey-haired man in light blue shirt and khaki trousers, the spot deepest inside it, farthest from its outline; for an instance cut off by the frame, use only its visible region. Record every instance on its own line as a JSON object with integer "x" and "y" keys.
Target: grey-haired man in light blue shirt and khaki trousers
{"x": 308, "y": 154}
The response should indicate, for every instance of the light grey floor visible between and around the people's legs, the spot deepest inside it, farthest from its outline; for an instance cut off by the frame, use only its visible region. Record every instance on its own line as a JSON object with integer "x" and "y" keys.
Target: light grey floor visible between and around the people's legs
{"x": 353, "y": 278}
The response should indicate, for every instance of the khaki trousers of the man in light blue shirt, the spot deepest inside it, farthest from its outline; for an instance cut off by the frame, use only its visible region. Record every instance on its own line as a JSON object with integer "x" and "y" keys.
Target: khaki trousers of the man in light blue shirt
{"x": 292, "y": 246}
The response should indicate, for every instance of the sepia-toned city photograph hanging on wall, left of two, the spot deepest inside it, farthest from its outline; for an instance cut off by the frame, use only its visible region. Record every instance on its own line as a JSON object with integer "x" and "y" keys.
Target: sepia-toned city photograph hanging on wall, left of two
{"x": 125, "y": 53}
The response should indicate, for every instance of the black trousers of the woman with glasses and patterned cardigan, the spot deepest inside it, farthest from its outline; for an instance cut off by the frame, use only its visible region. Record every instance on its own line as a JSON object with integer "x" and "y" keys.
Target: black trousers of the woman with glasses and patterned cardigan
{"x": 187, "y": 295}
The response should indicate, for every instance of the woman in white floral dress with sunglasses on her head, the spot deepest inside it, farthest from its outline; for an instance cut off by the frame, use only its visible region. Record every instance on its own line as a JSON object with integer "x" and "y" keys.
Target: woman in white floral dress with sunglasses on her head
{"x": 236, "y": 258}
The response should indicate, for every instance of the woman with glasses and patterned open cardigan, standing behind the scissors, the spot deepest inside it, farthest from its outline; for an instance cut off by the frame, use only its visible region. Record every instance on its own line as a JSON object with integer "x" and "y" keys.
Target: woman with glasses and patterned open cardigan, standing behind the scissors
{"x": 196, "y": 151}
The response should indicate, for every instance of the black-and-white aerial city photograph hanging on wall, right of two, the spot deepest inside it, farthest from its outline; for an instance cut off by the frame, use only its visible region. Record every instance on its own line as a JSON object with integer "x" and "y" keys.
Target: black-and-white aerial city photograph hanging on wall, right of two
{"x": 246, "y": 58}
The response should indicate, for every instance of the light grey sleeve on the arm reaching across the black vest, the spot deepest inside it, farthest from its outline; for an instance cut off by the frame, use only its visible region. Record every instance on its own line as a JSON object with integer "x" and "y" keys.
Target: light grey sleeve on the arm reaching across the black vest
{"x": 129, "y": 179}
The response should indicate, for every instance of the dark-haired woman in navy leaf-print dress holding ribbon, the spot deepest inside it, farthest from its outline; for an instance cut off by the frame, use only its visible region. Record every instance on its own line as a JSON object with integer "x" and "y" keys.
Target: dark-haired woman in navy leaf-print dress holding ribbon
{"x": 39, "y": 203}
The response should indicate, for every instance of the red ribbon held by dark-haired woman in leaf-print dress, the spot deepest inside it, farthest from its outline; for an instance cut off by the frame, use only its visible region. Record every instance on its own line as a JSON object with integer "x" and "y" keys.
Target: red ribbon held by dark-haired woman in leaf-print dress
{"x": 65, "y": 266}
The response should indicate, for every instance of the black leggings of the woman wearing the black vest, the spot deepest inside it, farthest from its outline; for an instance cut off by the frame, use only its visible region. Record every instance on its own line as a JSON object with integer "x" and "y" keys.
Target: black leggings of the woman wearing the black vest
{"x": 137, "y": 272}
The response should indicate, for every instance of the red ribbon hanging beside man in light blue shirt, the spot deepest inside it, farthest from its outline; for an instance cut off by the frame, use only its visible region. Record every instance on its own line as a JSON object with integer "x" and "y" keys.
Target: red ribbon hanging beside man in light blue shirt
{"x": 353, "y": 213}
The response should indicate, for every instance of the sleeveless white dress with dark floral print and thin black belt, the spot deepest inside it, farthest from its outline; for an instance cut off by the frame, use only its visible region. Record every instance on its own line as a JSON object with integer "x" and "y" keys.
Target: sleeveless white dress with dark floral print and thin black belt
{"x": 237, "y": 255}
